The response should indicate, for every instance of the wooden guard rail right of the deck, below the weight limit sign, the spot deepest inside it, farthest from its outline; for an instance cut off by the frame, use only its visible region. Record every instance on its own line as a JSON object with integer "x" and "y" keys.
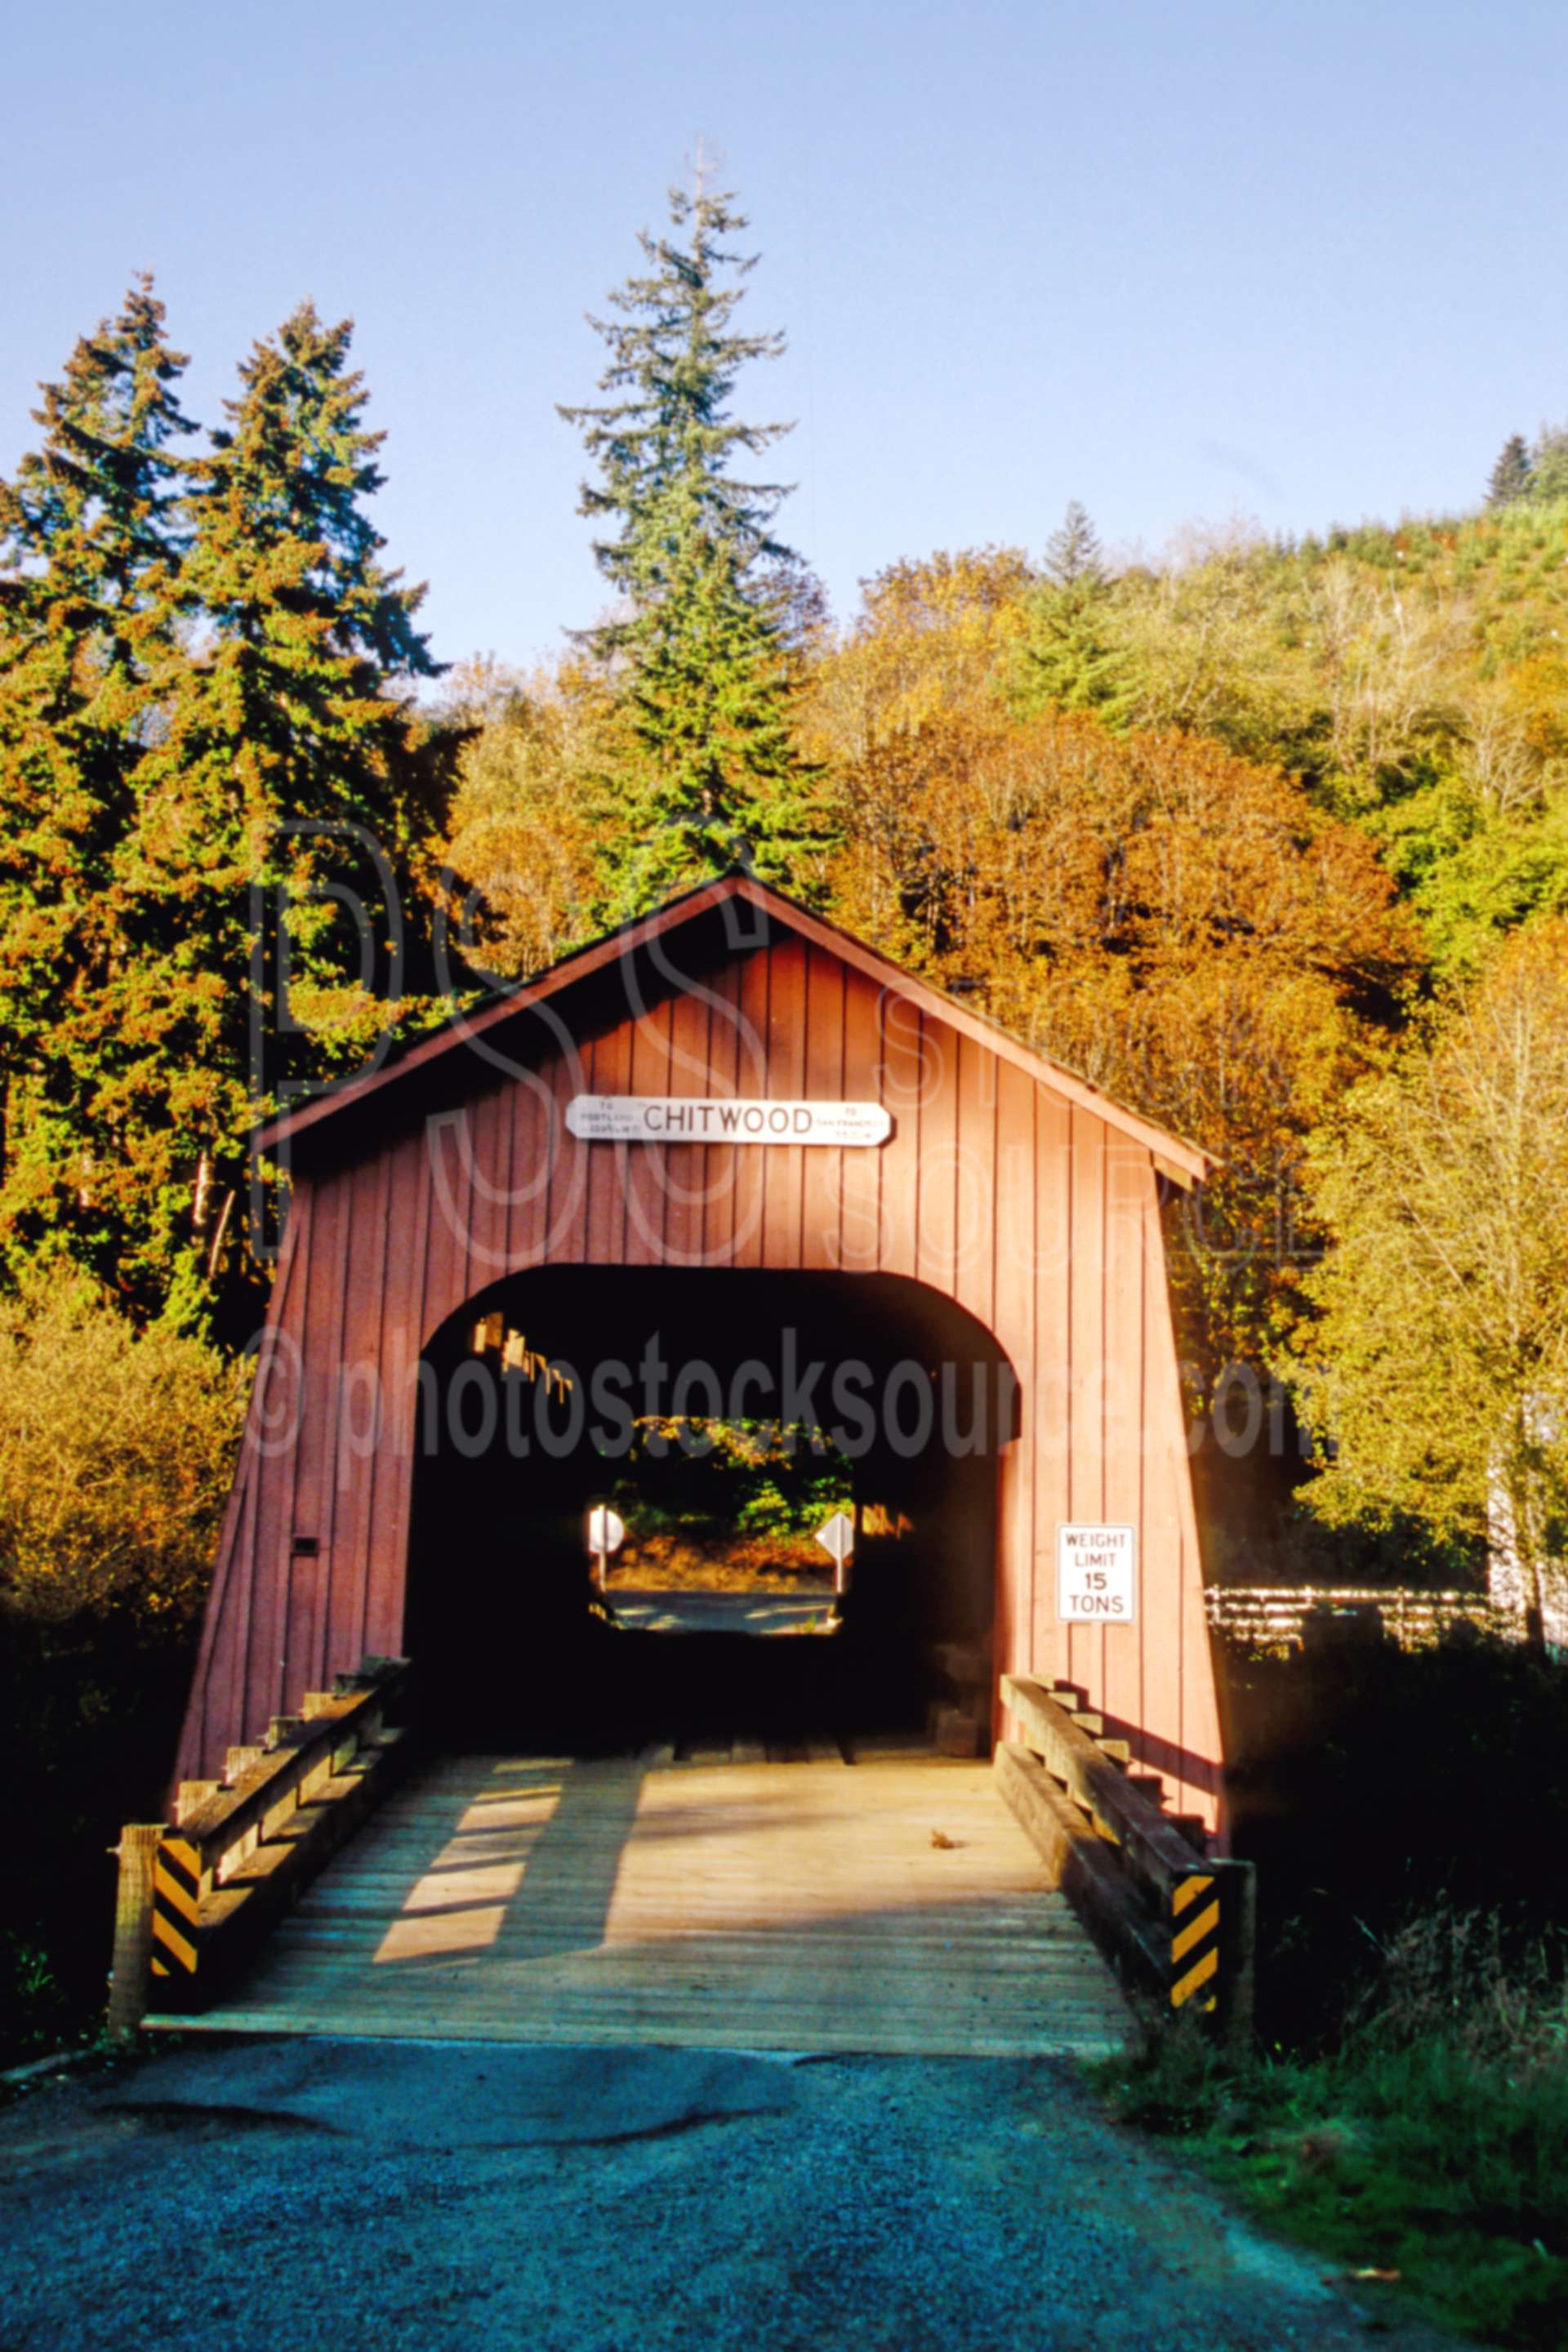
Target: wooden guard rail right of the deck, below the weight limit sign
{"x": 1179, "y": 1923}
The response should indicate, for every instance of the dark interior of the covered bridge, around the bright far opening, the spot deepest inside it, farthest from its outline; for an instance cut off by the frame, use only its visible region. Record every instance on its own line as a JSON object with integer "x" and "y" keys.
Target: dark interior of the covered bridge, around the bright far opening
{"x": 504, "y": 1626}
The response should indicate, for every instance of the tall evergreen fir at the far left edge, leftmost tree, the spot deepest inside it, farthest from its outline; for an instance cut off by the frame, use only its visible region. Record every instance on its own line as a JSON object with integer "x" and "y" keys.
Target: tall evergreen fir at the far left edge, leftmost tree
{"x": 88, "y": 561}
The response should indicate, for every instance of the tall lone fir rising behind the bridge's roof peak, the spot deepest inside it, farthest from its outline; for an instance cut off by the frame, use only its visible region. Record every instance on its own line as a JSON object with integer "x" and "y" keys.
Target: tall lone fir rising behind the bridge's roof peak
{"x": 711, "y": 775}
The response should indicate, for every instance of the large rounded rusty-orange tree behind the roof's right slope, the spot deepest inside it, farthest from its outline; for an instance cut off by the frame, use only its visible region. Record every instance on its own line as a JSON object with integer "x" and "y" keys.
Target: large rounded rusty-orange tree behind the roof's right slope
{"x": 1174, "y": 923}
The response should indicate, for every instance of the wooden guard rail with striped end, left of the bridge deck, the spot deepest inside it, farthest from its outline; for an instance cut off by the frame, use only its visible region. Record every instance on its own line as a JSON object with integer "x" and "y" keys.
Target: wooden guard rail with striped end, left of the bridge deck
{"x": 199, "y": 1897}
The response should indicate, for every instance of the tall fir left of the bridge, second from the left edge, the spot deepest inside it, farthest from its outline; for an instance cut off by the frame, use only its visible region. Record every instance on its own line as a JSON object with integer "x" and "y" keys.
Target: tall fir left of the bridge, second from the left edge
{"x": 286, "y": 721}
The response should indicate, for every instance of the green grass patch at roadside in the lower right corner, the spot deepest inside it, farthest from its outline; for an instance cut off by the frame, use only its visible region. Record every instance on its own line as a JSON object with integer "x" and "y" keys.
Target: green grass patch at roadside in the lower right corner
{"x": 1428, "y": 2144}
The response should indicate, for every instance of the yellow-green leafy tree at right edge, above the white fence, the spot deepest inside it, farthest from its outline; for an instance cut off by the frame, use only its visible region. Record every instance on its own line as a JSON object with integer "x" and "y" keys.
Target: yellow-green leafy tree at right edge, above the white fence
{"x": 1435, "y": 1363}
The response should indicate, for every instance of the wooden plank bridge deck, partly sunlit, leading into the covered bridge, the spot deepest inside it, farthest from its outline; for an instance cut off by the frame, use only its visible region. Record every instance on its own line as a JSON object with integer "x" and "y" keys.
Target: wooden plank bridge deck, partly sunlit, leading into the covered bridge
{"x": 711, "y": 1904}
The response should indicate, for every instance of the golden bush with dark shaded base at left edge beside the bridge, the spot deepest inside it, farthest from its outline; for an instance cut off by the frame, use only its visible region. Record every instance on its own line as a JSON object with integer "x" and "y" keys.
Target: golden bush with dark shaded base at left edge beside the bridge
{"x": 114, "y": 1469}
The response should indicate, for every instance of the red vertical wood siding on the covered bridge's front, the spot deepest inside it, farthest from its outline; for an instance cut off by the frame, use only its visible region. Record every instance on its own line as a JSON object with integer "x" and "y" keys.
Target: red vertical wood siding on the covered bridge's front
{"x": 1031, "y": 1212}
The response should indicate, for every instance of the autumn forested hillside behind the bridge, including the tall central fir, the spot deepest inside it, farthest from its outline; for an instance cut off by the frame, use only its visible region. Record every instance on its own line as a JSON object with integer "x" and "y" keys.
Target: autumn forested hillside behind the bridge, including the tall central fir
{"x": 1245, "y": 834}
